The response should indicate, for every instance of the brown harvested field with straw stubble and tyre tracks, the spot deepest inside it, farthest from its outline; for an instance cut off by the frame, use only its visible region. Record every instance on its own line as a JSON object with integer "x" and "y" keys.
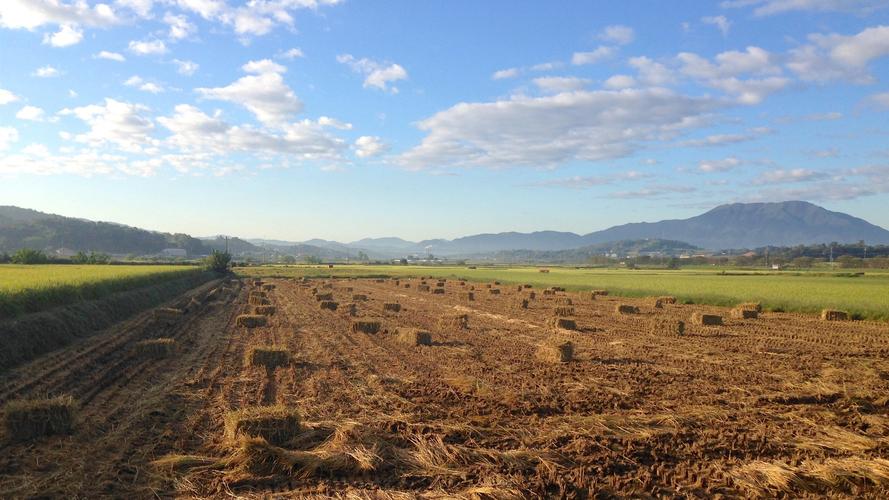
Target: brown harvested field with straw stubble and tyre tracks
{"x": 783, "y": 405}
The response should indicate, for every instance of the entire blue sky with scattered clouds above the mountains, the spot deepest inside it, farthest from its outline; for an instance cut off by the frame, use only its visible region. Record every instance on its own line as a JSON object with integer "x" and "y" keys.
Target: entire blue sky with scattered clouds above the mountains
{"x": 345, "y": 119}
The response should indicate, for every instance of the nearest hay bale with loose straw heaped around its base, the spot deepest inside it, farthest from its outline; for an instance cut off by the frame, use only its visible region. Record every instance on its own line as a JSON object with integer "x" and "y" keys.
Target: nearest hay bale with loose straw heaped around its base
{"x": 276, "y": 424}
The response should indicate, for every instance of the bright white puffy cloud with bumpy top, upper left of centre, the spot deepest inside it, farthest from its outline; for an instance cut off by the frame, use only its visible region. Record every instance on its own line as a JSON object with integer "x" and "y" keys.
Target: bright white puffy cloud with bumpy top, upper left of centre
{"x": 263, "y": 93}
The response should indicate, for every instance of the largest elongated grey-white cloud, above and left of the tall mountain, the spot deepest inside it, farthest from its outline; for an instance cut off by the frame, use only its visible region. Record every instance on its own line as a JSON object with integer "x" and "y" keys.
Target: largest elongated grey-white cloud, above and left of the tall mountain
{"x": 546, "y": 131}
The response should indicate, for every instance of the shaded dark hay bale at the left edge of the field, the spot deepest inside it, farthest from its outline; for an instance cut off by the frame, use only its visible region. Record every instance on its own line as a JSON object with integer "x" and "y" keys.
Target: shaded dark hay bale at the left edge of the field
{"x": 26, "y": 419}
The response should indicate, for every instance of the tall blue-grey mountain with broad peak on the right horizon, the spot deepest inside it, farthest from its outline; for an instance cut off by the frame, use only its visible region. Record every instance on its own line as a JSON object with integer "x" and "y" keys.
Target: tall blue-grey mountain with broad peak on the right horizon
{"x": 752, "y": 225}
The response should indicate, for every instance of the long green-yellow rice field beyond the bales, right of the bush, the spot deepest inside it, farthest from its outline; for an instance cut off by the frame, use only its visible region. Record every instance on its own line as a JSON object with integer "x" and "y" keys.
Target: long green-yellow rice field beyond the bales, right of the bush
{"x": 864, "y": 295}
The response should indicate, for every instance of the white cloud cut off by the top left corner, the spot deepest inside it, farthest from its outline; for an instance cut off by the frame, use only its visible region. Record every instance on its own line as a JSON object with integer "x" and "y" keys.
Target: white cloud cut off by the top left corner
{"x": 32, "y": 14}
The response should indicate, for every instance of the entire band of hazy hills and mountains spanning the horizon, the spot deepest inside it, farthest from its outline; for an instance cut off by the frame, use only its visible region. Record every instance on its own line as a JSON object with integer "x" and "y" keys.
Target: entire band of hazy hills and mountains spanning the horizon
{"x": 734, "y": 226}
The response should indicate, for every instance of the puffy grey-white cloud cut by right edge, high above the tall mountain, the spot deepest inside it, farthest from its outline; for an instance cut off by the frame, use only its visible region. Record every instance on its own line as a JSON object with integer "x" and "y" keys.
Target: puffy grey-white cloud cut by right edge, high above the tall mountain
{"x": 840, "y": 57}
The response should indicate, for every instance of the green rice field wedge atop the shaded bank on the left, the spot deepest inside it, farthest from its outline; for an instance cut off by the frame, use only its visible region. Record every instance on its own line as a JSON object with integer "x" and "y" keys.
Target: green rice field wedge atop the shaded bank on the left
{"x": 32, "y": 288}
